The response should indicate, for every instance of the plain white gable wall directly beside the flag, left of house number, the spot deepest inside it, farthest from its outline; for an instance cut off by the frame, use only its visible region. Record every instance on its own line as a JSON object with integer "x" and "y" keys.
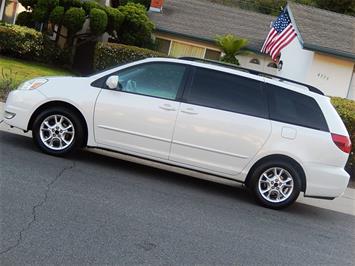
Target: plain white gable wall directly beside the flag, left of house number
{"x": 296, "y": 61}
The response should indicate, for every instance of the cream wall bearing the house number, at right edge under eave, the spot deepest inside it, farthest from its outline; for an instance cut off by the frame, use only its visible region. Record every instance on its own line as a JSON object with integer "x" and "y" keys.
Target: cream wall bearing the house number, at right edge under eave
{"x": 330, "y": 74}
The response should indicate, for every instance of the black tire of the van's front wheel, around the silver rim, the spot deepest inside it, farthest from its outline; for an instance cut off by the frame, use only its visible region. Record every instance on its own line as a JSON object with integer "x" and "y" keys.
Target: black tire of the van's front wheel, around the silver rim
{"x": 76, "y": 141}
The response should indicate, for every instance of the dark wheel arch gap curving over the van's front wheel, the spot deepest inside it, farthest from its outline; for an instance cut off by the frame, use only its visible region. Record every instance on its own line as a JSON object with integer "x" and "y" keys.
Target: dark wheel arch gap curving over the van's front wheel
{"x": 60, "y": 104}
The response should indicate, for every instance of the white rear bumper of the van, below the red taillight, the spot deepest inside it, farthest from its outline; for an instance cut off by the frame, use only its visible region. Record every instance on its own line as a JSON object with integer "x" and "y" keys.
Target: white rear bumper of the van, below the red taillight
{"x": 324, "y": 181}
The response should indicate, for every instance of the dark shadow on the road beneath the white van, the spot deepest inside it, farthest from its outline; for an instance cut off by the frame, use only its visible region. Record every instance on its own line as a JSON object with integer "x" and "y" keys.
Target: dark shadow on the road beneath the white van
{"x": 12, "y": 143}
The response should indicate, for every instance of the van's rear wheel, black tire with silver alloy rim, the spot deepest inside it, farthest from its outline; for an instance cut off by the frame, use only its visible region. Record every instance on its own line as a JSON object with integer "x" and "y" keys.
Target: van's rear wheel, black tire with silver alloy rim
{"x": 275, "y": 184}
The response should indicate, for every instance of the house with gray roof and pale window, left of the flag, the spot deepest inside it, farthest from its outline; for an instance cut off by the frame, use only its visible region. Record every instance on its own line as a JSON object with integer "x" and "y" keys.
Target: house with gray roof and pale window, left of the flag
{"x": 189, "y": 28}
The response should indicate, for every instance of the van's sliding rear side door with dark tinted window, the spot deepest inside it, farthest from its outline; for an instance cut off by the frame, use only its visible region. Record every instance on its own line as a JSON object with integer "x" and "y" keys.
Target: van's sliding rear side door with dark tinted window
{"x": 222, "y": 126}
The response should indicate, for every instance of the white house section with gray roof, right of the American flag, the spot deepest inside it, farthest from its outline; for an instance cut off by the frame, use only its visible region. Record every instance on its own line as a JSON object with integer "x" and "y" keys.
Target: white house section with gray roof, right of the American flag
{"x": 323, "y": 55}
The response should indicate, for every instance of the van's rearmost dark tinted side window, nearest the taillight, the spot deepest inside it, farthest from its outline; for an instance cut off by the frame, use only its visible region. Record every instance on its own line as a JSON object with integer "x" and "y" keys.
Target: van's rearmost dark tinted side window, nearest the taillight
{"x": 295, "y": 108}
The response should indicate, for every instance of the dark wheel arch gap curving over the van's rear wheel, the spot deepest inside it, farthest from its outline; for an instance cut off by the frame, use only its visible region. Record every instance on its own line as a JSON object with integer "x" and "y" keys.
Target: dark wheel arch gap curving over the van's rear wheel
{"x": 278, "y": 157}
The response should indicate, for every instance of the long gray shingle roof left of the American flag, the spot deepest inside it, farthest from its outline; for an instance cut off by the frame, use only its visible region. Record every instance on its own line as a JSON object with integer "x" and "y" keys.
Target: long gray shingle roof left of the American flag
{"x": 202, "y": 19}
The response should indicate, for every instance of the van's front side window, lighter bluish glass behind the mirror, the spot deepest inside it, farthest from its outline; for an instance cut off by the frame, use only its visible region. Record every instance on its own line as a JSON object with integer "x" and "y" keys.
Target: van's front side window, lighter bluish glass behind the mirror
{"x": 161, "y": 80}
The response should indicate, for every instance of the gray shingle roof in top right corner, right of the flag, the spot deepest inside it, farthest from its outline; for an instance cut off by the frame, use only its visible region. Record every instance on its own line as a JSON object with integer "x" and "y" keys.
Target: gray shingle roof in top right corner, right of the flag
{"x": 324, "y": 31}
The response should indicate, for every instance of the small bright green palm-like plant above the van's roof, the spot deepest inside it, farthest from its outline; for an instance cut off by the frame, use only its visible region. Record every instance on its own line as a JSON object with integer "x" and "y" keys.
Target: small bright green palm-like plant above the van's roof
{"x": 232, "y": 46}
